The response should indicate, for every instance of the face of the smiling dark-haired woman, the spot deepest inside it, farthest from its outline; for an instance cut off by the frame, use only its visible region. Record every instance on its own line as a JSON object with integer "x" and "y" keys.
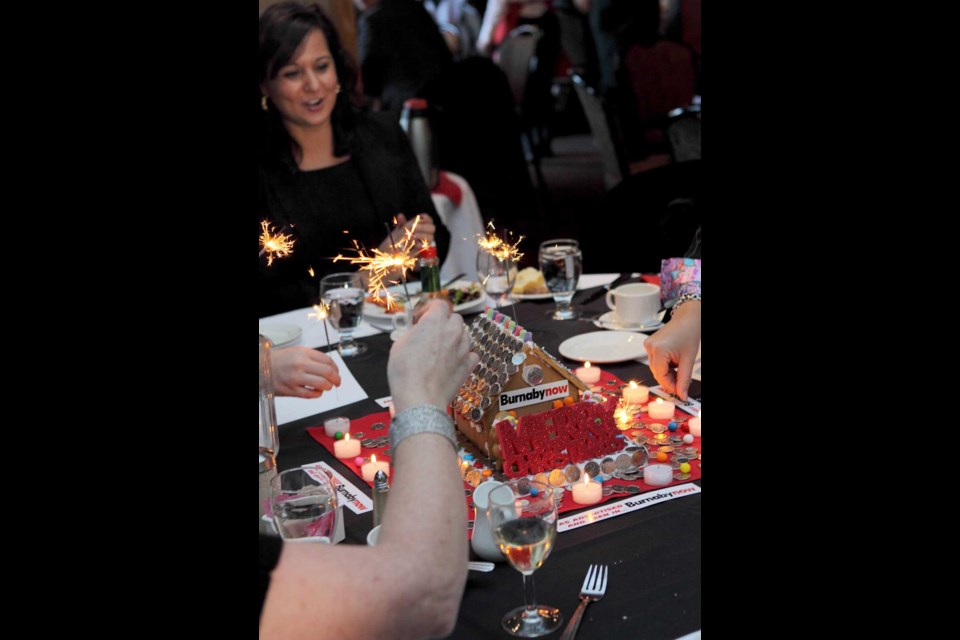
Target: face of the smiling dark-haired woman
{"x": 304, "y": 90}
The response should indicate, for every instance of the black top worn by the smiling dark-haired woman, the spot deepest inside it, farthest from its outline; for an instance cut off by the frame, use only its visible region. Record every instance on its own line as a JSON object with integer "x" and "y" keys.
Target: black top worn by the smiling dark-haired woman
{"x": 362, "y": 196}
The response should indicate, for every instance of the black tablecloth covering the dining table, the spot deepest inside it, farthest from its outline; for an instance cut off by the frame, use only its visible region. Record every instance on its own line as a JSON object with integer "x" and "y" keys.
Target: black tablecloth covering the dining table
{"x": 653, "y": 554}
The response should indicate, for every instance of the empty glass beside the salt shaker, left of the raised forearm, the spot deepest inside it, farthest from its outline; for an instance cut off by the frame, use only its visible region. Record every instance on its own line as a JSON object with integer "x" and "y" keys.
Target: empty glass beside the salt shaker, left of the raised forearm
{"x": 303, "y": 502}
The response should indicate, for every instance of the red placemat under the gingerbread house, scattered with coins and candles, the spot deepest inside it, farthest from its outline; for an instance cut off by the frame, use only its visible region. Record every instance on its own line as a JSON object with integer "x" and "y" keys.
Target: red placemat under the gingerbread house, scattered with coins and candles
{"x": 365, "y": 425}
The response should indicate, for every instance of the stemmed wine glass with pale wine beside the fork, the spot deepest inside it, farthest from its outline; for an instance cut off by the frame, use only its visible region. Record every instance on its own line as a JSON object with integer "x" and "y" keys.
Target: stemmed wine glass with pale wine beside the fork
{"x": 523, "y": 517}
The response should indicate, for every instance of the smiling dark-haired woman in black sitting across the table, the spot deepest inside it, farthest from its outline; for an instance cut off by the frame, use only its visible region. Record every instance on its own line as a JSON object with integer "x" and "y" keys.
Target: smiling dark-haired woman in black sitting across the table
{"x": 328, "y": 172}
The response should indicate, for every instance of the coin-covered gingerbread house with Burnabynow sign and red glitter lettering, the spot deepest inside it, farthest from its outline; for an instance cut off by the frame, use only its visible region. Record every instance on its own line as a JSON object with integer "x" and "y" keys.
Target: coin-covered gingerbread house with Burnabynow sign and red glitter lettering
{"x": 522, "y": 409}
